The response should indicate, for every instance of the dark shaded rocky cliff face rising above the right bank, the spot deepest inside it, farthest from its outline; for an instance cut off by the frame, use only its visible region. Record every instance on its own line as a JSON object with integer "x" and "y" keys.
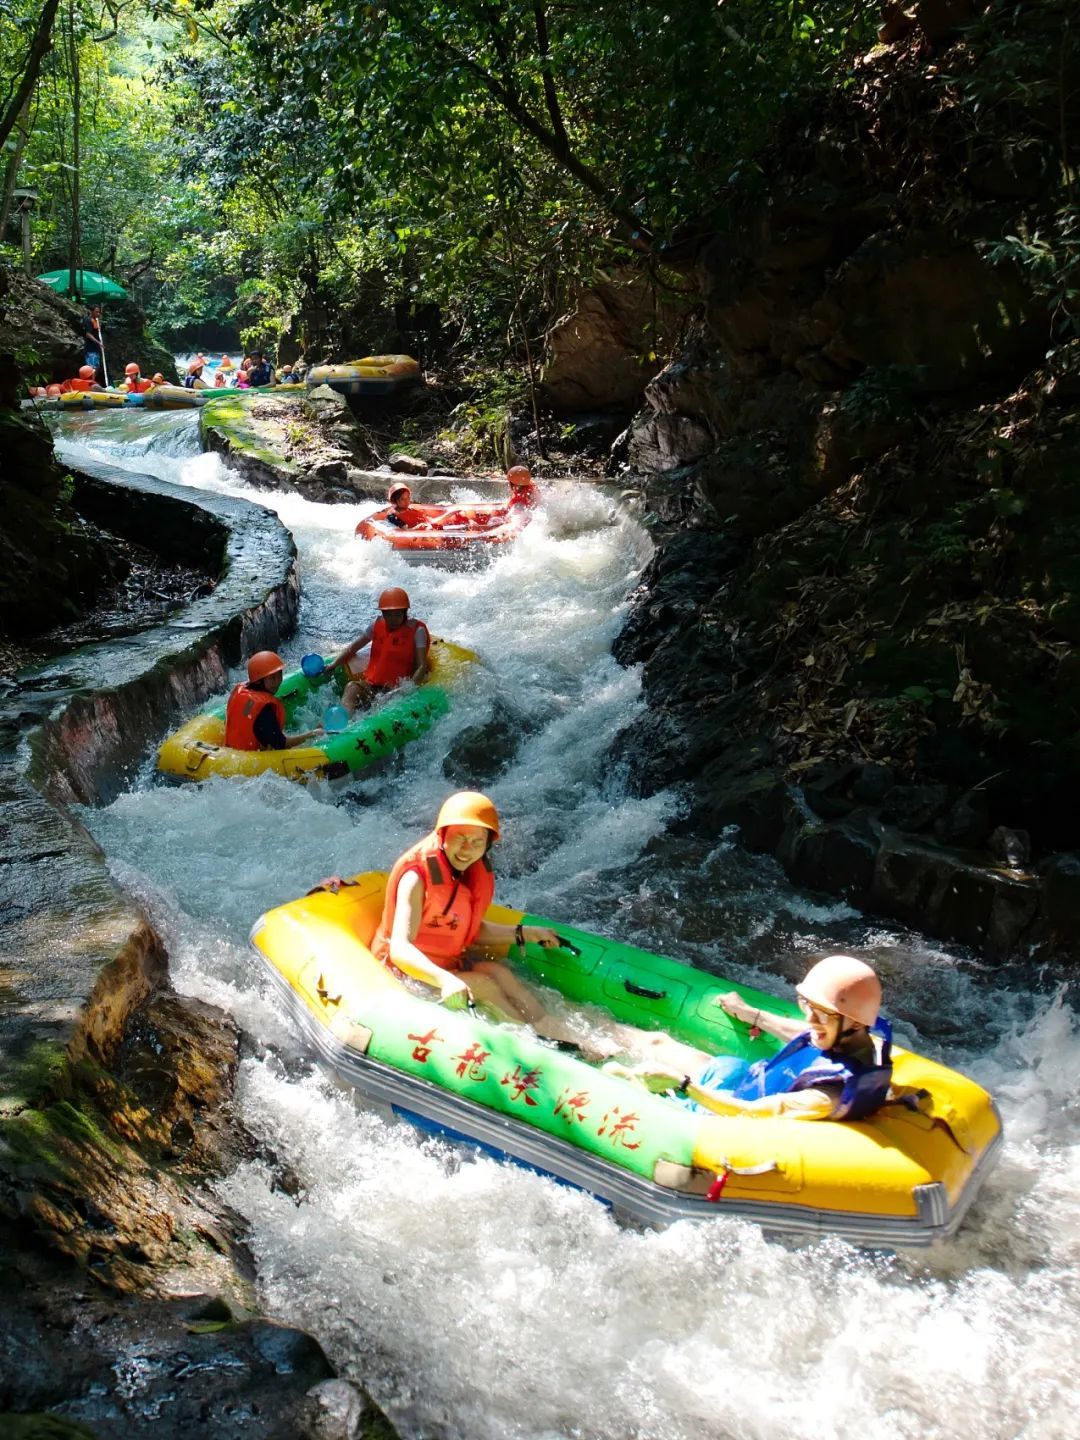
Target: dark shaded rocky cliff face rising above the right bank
{"x": 862, "y": 617}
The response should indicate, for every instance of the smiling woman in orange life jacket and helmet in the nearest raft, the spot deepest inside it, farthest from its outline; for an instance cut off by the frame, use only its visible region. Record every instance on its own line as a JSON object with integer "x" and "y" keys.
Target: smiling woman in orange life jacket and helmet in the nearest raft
{"x": 434, "y": 912}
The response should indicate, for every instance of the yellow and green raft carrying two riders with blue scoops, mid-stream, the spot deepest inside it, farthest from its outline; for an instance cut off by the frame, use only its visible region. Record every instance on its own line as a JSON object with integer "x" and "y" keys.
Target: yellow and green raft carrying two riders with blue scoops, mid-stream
{"x": 198, "y": 751}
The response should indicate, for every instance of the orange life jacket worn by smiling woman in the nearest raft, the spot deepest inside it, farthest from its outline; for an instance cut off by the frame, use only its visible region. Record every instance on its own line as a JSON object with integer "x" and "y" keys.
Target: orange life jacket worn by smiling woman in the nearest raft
{"x": 454, "y": 904}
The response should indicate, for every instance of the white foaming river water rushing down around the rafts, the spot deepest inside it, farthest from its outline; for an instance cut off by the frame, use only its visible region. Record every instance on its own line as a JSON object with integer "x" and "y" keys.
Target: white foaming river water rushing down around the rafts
{"x": 479, "y": 1301}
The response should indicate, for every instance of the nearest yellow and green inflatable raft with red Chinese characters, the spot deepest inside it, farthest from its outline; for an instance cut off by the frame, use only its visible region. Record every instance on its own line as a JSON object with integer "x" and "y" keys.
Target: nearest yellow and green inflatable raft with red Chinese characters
{"x": 905, "y": 1177}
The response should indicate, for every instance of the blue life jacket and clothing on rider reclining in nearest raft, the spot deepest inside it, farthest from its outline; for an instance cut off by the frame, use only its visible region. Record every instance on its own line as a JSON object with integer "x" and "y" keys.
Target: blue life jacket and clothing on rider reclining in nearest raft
{"x": 801, "y": 1066}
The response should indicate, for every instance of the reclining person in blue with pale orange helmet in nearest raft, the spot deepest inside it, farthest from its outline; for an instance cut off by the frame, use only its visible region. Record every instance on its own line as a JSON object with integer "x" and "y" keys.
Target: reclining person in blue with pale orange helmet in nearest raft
{"x": 836, "y": 1065}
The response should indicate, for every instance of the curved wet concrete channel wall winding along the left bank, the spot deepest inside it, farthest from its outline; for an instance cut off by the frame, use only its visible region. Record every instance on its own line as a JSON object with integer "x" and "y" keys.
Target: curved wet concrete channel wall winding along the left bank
{"x": 77, "y": 957}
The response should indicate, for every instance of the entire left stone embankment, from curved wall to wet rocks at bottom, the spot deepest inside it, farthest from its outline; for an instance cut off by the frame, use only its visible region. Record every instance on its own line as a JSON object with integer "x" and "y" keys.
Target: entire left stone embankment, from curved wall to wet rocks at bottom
{"x": 127, "y": 1297}
